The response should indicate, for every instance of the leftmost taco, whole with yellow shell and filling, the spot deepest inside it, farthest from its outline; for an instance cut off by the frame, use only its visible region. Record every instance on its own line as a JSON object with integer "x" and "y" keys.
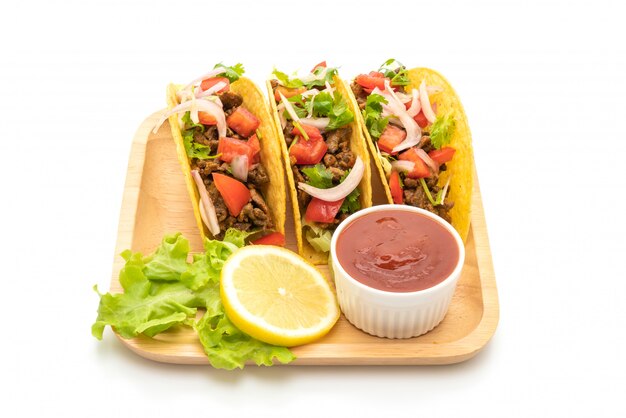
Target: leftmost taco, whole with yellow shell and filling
{"x": 227, "y": 147}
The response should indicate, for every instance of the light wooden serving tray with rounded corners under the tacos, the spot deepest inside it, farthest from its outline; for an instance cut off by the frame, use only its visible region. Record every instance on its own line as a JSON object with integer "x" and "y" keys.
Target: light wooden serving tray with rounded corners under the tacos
{"x": 156, "y": 202}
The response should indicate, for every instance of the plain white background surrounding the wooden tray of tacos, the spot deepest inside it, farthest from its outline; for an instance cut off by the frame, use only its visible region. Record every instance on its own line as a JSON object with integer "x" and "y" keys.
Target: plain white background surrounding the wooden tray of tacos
{"x": 543, "y": 85}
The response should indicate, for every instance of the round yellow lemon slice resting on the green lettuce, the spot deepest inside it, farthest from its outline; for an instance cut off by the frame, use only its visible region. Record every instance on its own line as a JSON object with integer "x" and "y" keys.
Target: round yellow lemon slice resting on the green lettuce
{"x": 275, "y": 296}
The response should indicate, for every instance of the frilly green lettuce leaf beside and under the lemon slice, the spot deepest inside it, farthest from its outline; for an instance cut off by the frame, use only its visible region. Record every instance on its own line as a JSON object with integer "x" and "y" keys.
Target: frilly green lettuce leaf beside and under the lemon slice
{"x": 164, "y": 290}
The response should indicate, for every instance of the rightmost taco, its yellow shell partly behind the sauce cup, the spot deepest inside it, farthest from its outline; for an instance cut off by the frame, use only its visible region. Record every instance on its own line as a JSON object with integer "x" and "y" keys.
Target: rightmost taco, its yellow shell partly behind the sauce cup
{"x": 418, "y": 135}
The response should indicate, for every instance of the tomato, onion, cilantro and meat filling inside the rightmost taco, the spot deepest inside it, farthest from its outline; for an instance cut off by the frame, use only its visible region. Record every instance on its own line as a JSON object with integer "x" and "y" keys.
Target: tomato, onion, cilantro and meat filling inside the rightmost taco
{"x": 411, "y": 138}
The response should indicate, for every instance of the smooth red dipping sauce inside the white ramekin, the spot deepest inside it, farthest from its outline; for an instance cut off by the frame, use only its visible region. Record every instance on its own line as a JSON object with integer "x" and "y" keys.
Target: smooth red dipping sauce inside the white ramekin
{"x": 397, "y": 251}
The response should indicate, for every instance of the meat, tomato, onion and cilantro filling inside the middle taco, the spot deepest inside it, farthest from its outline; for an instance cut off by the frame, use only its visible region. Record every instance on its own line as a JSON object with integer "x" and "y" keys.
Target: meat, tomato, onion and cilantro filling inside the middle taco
{"x": 315, "y": 120}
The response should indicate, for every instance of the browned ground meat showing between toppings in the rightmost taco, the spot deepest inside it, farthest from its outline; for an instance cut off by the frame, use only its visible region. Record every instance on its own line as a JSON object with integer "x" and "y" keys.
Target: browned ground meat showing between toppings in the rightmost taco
{"x": 413, "y": 191}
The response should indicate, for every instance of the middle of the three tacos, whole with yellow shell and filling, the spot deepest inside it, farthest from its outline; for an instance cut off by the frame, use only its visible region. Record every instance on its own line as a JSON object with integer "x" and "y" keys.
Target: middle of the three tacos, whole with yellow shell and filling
{"x": 328, "y": 167}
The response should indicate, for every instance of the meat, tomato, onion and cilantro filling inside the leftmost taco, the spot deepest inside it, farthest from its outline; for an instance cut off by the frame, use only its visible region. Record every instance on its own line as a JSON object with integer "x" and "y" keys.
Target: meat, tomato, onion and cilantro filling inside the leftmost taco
{"x": 223, "y": 146}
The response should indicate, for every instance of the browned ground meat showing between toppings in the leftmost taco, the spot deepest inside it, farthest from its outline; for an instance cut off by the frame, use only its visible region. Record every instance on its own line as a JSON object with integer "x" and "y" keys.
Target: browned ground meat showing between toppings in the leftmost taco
{"x": 255, "y": 214}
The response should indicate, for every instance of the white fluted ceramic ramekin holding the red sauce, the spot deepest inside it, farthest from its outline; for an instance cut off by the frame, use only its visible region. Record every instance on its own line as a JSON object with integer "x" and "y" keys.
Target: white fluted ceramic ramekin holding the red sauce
{"x": 394, "y": 314}
